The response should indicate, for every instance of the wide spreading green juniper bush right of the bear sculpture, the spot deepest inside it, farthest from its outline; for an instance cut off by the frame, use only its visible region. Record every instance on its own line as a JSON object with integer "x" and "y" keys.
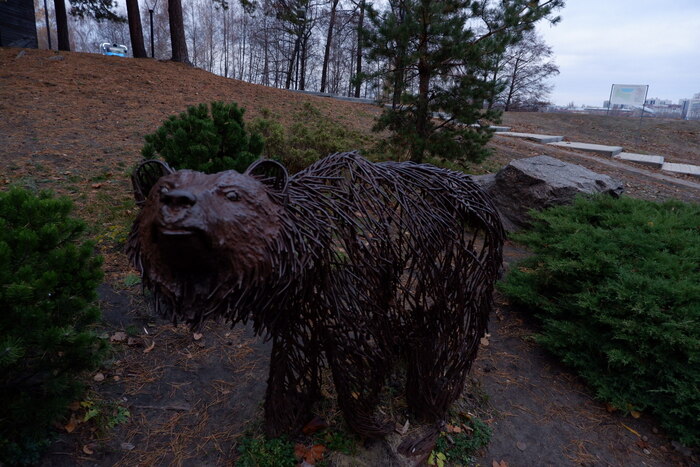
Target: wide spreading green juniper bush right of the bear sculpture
{"x": 616, "y": 285}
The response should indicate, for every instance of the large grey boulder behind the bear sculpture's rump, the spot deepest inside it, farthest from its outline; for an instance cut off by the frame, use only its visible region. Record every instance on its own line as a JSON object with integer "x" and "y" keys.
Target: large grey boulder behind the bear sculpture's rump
{"x": 538, "y": 183}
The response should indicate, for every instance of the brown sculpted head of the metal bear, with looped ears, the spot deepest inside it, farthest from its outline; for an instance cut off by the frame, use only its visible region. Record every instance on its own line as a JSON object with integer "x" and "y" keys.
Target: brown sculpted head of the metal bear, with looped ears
{"x": 201, "y": 239}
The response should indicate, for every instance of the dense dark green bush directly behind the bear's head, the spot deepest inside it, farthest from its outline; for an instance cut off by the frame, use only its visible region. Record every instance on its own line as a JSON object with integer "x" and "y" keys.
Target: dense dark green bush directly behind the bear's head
{"x": 206, "y": 138}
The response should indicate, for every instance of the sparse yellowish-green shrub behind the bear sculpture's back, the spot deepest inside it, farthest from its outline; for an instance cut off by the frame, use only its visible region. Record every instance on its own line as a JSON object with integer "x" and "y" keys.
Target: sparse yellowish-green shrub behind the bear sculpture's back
{"x": 311, "y": 137}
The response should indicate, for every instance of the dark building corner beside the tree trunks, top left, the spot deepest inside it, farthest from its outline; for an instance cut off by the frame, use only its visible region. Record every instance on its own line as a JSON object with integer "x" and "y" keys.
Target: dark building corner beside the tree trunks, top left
{"x": 17, "y": 24}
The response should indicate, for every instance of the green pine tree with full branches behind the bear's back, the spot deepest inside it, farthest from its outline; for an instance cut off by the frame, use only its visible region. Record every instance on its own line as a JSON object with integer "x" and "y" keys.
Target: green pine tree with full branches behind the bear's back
{"x": 437, "y": 54}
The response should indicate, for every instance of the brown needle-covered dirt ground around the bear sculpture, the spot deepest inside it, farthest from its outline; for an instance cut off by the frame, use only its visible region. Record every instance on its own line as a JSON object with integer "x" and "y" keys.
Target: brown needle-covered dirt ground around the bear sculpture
{"x": 74, "y": 123}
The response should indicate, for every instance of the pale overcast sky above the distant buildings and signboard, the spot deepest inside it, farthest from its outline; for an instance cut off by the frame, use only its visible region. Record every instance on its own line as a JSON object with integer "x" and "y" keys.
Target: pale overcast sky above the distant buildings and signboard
{"x": 603, "y": 42}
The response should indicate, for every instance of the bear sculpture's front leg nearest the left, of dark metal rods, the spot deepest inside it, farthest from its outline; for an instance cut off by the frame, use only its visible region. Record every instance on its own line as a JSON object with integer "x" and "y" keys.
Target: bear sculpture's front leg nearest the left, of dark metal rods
{"x": 292, "y": 386}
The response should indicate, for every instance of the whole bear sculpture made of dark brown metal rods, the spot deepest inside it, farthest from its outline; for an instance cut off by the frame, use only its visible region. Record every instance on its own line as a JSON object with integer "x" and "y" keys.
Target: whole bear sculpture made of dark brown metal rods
{"x": 348, "y": 263}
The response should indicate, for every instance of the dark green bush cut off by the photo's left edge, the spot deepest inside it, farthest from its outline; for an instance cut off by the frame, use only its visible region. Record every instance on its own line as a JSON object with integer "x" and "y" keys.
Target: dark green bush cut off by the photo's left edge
{"x": 47, "y": 286}
